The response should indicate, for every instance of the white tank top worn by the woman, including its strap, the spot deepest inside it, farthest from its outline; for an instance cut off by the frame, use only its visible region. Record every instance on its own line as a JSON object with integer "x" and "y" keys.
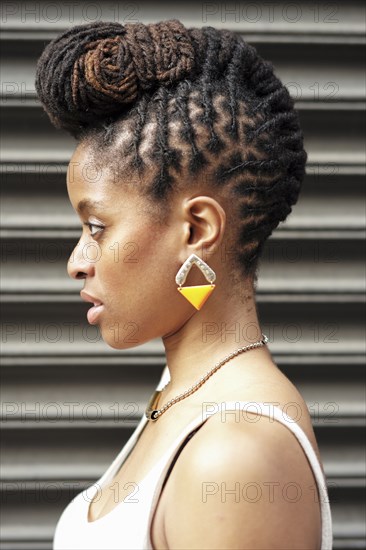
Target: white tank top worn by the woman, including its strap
{"x": 128, "y": 525}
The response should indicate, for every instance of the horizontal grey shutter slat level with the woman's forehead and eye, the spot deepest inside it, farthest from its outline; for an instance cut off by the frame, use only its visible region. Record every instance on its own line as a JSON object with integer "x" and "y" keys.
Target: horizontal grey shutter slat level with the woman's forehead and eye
{"x": 44, "y": 203}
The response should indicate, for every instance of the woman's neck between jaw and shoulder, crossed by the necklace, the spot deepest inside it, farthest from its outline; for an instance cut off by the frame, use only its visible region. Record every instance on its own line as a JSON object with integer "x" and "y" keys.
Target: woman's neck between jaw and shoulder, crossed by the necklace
{"x": 207, "y": 337}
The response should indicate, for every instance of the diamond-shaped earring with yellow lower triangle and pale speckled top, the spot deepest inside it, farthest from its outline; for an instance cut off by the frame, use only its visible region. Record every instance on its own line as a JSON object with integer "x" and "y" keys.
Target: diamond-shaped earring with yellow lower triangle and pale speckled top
{"x": 196, "y": 295}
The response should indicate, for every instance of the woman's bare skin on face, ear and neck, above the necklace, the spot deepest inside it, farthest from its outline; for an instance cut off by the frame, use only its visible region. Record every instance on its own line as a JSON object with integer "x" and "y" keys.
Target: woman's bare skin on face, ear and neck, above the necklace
{"x": 144, "y": 292}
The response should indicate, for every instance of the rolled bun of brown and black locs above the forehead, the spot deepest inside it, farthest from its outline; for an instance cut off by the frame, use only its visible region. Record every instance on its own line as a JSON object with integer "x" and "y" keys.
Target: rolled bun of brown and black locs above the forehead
{"x": 92, "y": 70}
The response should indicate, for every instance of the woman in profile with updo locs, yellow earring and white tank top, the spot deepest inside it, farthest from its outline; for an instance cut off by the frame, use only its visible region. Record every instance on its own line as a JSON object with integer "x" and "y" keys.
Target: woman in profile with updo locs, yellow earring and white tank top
{"x": 189, "y": 153}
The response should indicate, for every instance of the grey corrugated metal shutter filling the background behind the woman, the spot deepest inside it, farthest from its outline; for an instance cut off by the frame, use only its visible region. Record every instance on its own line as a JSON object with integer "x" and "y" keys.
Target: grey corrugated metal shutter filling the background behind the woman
{"x": 64, "y": 391}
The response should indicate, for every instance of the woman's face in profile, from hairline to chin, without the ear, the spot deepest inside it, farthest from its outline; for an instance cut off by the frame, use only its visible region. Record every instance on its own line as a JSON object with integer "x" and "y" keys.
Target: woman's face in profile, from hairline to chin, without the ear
{"x": 128, "y": 262}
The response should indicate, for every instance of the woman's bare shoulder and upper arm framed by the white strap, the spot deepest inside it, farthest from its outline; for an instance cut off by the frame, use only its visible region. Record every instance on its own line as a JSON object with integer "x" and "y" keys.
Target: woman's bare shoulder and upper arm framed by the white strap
{"x": 242, "y": 484}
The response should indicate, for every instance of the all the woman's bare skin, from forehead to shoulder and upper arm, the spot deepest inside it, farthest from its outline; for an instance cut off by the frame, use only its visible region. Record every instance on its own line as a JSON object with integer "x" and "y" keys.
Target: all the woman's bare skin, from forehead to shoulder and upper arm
{"x": 140, "y": 298}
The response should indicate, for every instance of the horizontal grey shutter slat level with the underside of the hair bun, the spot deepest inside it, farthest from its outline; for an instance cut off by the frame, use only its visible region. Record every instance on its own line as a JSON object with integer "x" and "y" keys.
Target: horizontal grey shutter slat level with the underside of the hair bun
{"x": 330, "y": 137}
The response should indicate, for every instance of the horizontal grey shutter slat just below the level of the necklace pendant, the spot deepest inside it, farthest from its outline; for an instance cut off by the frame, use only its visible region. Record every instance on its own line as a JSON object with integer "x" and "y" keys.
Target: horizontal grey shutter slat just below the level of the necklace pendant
{"x": 62, "y": 454}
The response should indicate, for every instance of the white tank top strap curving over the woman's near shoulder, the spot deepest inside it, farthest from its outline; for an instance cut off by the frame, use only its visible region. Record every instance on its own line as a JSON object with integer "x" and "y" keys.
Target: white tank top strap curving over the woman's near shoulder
{"x": 169, "y": 458}
